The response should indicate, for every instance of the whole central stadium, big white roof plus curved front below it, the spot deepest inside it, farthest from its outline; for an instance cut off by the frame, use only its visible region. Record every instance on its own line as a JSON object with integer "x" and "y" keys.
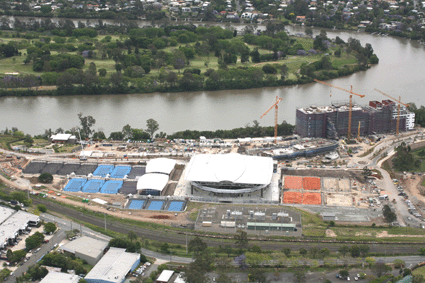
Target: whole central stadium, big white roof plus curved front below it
{"x": 229, "y": 174}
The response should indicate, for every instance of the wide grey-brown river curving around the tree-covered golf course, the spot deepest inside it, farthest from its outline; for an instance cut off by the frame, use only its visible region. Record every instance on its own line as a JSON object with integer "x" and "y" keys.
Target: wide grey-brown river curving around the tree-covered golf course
{"x": 399, "y": 73}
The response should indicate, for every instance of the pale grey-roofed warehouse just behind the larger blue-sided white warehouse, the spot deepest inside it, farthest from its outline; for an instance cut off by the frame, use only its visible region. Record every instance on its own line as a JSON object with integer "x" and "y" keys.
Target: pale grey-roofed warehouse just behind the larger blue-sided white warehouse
{"x": 86, "y": 248}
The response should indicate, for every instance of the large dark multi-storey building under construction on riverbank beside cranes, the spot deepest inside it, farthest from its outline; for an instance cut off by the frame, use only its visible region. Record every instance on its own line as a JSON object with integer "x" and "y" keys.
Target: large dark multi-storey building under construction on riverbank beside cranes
{"x": 332, "y": 121}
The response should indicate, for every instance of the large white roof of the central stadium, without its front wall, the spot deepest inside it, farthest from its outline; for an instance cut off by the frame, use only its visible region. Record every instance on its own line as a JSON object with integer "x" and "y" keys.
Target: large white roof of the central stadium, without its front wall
{"x": 233, "y": 167}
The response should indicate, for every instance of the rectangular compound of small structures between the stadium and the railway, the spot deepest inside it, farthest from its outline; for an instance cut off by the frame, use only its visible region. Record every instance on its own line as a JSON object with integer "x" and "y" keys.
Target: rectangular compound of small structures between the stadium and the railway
{"x": 251, "y": 219}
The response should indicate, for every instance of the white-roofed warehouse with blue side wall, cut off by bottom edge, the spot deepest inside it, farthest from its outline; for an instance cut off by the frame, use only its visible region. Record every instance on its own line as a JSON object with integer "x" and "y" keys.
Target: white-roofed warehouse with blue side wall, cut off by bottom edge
{"x": 113, "y": 267}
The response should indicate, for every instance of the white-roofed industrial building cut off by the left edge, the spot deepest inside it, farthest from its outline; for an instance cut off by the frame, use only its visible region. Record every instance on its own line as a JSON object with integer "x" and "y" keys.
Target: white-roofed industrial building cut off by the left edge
{"x": 13, "y": 223}
